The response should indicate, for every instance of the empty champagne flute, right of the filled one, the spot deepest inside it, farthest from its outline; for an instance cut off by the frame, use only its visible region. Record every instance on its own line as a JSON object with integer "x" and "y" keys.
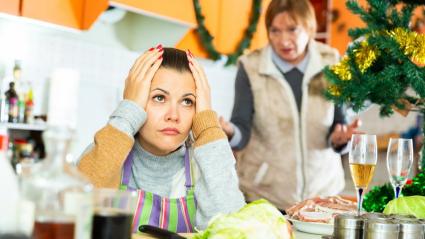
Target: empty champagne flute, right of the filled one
{"x": 399, "y": 162}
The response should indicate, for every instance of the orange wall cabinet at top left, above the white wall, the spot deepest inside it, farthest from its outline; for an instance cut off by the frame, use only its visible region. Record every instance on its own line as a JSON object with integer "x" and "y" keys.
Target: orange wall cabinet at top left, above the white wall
{"x": 78, "y": 14}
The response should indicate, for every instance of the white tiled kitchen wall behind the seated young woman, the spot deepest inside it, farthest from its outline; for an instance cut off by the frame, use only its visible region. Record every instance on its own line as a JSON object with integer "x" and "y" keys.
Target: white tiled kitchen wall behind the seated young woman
{"x": 102, "y": 68}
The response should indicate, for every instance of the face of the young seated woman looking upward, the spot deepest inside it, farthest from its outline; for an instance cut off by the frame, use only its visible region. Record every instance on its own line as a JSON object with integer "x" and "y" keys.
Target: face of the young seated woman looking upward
{"x": 170, "y": 110}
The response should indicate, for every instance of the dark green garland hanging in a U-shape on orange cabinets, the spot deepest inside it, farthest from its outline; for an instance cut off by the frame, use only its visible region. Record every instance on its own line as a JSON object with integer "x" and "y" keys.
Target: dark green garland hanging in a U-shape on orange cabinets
{"x": 206, "y": 38}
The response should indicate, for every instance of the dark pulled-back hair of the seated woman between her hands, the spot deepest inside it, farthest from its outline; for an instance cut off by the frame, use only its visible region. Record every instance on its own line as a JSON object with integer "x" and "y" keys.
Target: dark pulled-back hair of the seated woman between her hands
{"x": 176, "y": 59}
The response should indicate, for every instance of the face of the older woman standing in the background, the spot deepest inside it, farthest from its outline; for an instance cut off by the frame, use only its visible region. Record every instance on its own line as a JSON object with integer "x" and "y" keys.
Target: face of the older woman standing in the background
{"x": 288, "y": 38}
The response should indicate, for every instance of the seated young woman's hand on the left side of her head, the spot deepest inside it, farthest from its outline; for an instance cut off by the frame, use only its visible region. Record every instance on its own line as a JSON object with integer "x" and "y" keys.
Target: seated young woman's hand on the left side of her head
{"x": 138, "y": 82}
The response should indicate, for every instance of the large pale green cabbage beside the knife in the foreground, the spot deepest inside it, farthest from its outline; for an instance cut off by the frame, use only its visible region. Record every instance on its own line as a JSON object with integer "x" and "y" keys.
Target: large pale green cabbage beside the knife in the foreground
{"x": 256, "y": 220}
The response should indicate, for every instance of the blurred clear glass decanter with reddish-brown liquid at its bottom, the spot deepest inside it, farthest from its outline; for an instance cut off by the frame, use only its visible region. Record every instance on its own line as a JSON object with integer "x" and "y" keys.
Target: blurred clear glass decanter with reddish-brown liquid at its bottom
{"x": 62, "y": 196}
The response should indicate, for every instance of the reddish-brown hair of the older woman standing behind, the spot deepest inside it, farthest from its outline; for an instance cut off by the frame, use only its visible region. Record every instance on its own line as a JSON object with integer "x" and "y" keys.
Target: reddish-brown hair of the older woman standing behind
{"x": 300, "y": 10}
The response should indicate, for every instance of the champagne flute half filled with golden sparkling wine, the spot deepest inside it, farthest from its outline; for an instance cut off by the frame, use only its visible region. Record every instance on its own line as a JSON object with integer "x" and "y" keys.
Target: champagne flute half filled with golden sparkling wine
{"x": 362, "y": 158}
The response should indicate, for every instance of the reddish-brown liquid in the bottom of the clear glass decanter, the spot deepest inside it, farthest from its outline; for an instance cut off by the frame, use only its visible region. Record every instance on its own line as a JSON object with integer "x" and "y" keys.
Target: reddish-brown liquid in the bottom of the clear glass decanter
{"x": 53, "y": 230}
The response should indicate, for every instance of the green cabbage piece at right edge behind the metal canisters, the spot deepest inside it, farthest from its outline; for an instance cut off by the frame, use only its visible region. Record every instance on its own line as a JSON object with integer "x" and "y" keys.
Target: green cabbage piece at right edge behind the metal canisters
{"x": 412, "y": 205}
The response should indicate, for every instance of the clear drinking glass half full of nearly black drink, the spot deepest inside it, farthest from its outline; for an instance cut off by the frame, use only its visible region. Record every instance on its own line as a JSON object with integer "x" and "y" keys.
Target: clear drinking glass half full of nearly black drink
{"x": 113, "y": 213}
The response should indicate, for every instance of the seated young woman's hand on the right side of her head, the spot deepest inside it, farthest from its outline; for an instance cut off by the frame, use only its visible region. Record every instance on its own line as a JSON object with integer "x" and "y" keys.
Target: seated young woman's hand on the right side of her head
{"x": 203, "y": 92}
